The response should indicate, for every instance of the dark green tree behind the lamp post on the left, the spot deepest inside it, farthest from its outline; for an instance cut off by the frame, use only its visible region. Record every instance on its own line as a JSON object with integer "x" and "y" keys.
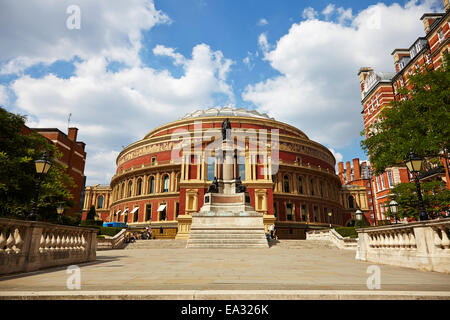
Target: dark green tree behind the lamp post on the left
{"x": 18, "y": 178}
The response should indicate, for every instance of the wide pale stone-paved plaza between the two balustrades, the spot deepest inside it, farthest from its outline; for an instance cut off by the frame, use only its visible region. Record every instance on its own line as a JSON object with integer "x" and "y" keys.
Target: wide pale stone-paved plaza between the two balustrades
{"x": 286, "y": 265}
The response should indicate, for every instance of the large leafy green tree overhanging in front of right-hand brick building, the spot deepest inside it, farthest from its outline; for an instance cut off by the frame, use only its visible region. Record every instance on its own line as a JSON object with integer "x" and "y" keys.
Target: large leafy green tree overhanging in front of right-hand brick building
{"x": 419, "y": 122}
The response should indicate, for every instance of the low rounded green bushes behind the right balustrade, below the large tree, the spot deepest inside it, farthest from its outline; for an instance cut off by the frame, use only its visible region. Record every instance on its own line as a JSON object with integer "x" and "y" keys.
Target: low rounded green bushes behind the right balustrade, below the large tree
{"x": 436, "y": 199}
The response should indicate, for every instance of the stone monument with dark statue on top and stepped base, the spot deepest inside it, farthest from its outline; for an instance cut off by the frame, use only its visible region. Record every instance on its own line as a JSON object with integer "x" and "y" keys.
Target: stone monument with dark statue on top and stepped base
{"x": 227, "y": 219}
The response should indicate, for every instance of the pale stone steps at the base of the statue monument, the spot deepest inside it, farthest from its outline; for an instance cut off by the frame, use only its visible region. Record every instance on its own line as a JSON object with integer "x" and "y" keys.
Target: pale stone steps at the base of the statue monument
{"x": 230, "y": 237}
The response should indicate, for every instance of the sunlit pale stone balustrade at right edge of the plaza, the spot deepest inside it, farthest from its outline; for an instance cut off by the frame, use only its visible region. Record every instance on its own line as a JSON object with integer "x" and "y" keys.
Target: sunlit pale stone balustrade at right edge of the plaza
{"x": 420, "y": 245}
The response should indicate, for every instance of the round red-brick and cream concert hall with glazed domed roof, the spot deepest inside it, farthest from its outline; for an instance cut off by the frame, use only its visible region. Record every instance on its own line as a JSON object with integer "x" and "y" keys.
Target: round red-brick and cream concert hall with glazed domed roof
{"x": 151, "y": 187}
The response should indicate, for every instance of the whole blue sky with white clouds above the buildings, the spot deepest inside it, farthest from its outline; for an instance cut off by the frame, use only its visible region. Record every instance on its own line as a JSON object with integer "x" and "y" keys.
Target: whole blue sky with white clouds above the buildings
{"x": 137, "y": 64}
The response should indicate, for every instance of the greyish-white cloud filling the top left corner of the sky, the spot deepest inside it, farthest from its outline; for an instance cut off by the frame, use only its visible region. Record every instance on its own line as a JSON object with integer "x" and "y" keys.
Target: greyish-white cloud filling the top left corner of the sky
{"x": 35, "y": 31}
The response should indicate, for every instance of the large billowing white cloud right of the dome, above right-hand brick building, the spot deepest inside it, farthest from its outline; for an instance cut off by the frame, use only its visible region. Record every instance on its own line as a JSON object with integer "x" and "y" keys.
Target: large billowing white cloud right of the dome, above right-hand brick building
{"x": 318, "y": 89}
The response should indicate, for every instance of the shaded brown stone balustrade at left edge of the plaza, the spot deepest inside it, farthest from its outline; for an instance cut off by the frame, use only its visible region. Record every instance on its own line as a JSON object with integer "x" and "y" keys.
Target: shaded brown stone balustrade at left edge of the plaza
{"x": 27, "y": 246}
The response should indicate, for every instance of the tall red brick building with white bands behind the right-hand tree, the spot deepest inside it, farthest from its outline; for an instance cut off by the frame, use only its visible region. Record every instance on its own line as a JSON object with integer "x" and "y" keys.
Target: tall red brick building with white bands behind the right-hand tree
{"x": 379, "y": 88}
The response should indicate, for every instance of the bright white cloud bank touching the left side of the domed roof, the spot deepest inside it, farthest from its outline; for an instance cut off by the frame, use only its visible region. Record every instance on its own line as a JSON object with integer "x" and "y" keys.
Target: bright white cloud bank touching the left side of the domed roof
{"x": 112, "y": 109}
